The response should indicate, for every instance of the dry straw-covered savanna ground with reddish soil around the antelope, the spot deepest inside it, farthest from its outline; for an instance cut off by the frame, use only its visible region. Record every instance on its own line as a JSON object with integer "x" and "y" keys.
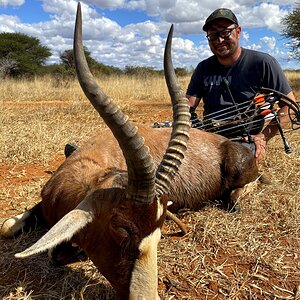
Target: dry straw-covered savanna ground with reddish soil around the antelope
{"x": 254, "y": 254}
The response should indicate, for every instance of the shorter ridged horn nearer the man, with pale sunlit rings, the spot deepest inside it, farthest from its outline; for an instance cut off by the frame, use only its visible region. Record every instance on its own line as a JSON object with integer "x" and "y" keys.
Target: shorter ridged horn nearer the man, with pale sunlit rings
{"x": 181, "y": 124}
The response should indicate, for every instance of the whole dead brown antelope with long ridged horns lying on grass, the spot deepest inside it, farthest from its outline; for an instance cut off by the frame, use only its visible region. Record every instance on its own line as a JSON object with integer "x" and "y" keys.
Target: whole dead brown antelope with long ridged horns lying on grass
{"x": 110, "y": 196}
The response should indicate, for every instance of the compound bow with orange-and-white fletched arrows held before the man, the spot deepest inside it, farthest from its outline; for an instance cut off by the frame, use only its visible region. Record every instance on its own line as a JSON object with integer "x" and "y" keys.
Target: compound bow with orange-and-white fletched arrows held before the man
{"x": 263, "y": 106}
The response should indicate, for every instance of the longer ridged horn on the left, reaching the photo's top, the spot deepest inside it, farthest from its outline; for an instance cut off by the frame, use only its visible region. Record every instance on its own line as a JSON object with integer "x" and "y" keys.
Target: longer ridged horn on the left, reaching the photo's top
{"x": 140, "y": 165}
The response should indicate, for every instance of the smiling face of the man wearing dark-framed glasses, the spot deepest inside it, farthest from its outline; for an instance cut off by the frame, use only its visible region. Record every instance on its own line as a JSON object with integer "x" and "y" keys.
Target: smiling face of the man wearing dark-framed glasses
{"x": 223, "y": 37}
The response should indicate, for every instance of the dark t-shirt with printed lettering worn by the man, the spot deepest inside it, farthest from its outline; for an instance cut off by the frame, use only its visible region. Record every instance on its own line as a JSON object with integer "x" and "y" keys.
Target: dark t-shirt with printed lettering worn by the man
{"x": 217, "y": 84}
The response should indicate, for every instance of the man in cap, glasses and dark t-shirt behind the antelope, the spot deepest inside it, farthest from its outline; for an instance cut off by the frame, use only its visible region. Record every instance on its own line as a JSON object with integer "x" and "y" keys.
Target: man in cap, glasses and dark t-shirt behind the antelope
{"x": 232, "y": 77}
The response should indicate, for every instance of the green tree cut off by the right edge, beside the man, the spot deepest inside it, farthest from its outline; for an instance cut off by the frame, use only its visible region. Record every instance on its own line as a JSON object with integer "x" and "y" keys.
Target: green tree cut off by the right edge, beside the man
{"x": 292, "y": 31}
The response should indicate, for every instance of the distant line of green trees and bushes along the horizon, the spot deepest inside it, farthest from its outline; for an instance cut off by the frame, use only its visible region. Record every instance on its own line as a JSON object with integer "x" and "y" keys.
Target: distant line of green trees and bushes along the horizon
{"x": 25, "y": 56}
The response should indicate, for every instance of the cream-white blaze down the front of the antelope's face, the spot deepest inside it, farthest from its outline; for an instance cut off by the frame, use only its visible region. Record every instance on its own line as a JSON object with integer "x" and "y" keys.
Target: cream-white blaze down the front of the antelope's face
{"x": 143, "y": 285}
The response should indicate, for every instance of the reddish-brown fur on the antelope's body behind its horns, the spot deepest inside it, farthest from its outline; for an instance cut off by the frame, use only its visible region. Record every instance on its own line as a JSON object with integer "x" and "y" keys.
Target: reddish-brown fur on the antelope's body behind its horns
{"x": 212, "y": 168}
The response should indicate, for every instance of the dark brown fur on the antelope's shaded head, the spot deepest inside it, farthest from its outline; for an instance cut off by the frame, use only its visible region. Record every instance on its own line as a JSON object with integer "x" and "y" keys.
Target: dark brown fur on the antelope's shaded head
{"x": 111, "y": 241}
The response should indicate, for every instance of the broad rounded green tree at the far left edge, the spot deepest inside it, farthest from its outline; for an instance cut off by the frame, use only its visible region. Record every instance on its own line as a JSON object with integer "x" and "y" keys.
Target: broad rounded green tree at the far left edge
{"x": 27, "y": 53}
